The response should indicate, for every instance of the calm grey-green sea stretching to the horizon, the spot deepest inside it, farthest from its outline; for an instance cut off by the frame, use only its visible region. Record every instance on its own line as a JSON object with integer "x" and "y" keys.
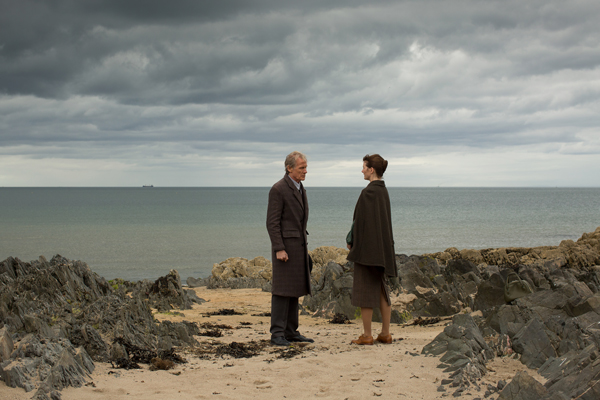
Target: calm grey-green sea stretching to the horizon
{"x": 144, "y": 232}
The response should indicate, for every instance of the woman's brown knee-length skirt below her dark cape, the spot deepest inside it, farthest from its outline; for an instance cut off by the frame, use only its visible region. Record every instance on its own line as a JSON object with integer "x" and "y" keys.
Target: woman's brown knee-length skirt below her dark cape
{"x": 368, "y": 284}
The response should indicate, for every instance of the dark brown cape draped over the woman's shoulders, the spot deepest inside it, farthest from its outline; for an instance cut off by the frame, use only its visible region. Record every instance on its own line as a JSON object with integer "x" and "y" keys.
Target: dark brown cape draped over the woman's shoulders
{"x": 373, "y": 239}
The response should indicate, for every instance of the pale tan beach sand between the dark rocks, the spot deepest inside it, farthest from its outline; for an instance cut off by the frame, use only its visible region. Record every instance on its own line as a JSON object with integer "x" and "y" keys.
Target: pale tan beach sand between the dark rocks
{"x": 330, "y": 368}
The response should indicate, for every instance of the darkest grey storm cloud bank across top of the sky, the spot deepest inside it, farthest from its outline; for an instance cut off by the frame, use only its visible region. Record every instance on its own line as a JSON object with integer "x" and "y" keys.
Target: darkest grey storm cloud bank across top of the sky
{"x": 147, "y": 52}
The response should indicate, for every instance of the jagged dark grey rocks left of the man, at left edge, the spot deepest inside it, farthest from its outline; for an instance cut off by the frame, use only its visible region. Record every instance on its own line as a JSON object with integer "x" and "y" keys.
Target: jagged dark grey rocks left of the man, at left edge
{"x": 57, "y": 317}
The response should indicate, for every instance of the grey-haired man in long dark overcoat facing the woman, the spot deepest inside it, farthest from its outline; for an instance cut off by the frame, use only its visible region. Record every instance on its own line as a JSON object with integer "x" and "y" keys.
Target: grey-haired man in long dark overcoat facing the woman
{"x": 287, "y": 214}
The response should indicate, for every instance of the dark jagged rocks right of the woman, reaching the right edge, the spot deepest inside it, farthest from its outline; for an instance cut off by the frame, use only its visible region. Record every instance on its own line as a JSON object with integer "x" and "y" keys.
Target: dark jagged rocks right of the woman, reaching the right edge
{"x": 555, "y": 329}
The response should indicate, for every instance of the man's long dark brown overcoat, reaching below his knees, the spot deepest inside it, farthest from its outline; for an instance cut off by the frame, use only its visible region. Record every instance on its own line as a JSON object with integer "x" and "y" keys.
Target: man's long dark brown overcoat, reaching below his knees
{"x": 287, "y": 215}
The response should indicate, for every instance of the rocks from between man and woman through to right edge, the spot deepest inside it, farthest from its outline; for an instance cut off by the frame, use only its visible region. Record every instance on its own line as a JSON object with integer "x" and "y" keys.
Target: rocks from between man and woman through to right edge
{"x": 555, "y": 329}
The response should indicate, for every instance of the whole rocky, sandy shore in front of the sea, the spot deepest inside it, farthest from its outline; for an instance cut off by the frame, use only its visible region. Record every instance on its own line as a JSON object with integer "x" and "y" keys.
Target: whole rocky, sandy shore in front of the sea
{"x": 538, "y": 342}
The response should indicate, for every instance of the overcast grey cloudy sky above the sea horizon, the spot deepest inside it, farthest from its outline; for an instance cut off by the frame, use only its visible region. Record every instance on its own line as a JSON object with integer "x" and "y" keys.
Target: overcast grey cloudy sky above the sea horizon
{"x": 217, "y": 93}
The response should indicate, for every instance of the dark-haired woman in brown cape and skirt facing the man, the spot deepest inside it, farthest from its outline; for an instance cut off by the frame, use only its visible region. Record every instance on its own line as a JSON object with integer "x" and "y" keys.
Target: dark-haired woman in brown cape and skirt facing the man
{"x": 371, "y": 245}
